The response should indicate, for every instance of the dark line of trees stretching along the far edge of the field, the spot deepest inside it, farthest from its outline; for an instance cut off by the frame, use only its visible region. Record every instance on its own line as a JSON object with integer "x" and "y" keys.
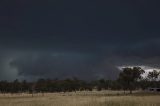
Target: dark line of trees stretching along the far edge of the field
{"x": 129, "y": 79}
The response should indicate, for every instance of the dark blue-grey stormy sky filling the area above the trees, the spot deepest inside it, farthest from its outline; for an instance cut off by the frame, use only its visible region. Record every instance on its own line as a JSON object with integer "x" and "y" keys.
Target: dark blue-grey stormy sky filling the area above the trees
{"x": 87, "y": 39}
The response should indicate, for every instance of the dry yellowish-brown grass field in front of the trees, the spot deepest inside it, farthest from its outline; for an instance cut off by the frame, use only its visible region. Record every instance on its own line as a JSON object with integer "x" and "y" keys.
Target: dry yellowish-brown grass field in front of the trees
{"x": 94, "y": 98}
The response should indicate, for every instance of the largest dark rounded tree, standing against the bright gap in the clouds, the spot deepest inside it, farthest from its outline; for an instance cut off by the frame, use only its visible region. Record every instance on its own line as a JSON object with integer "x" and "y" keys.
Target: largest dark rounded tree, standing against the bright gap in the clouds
{"x": 129, "y": 76}
